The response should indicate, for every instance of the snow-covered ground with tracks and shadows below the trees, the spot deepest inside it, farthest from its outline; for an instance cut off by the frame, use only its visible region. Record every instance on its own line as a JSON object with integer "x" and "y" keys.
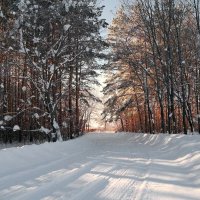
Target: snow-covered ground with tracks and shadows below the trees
{"x": 115, "y": 166}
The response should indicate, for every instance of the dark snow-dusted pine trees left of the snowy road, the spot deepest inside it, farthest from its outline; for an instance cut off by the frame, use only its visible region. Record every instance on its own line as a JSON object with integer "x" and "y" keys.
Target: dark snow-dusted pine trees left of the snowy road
{"x": 49, "y": 52}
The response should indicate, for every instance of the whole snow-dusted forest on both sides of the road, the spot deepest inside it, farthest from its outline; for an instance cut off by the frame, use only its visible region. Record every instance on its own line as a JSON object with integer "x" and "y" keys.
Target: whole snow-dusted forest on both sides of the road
{"x": 52, "y": 51}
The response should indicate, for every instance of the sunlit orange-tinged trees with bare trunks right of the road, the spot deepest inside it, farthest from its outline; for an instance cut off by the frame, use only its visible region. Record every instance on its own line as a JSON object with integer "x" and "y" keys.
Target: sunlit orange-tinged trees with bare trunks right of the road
{"x": 155, "y": 67}
